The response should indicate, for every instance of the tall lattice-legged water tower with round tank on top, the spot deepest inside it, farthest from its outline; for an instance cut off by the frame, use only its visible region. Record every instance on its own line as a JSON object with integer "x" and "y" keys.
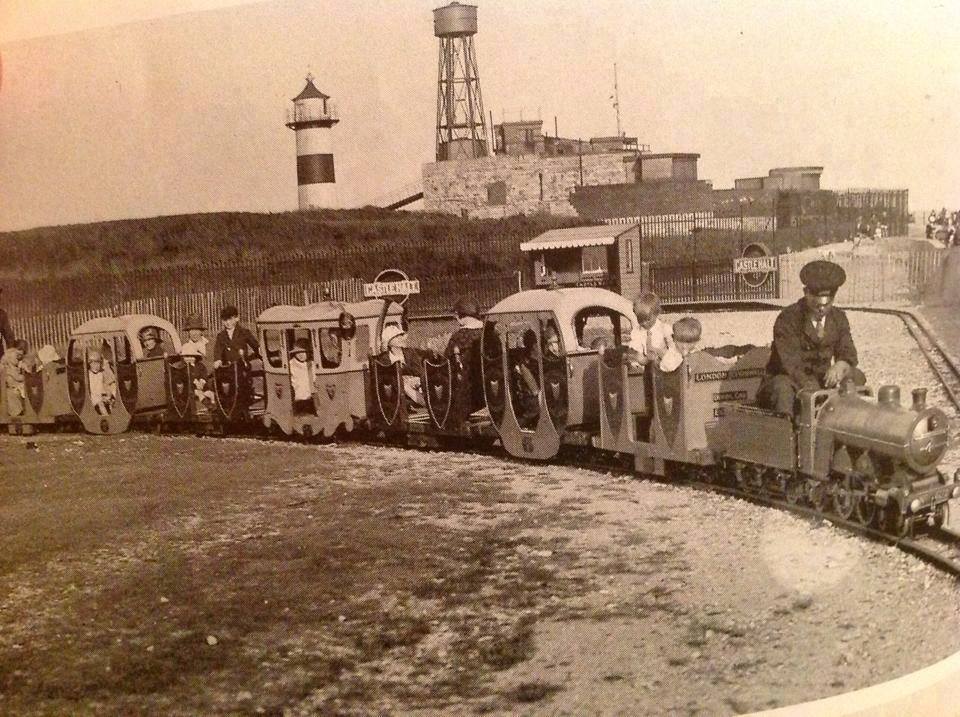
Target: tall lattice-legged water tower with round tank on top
{"x": 461, "y": 131}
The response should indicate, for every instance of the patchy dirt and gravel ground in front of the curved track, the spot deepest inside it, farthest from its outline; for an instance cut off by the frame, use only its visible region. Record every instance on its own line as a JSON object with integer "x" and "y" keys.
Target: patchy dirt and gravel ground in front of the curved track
{"x": 159, "y": 575}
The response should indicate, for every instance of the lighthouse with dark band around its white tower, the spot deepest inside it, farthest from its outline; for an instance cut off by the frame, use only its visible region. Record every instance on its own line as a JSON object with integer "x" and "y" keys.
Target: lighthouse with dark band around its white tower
{"x": 311, "y": 118}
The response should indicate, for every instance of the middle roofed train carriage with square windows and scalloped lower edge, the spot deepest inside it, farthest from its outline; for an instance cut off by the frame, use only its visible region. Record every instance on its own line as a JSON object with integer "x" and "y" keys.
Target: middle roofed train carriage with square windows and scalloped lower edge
{"x": 338, "y": 338}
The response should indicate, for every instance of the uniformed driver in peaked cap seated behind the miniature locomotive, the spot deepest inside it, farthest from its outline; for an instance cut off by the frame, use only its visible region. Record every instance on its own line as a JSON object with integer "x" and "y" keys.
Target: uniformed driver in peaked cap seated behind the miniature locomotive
{"x": 812, "y": 345}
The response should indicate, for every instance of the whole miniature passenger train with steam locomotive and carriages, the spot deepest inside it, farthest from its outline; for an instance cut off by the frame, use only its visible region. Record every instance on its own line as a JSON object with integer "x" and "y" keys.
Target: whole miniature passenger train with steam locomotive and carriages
{"x": 863, "y": 457}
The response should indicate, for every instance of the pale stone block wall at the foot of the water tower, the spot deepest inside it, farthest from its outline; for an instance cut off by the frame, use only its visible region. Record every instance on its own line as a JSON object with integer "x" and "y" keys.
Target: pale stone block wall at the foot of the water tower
{"x": 532, "y": 184}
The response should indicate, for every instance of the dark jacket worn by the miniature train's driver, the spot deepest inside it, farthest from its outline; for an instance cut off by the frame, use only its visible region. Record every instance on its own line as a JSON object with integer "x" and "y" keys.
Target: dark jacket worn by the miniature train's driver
{"x": 800, "y": 354}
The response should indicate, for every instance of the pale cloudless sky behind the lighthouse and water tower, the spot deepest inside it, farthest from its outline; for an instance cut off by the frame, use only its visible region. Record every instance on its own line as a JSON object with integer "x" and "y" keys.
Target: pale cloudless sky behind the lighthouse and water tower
{"x": 112, "y": 109}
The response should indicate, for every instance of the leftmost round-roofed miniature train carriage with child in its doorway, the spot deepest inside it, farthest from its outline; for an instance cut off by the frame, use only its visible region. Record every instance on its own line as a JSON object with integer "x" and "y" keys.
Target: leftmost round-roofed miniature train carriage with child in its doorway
{"x": 112, "y": 380}
